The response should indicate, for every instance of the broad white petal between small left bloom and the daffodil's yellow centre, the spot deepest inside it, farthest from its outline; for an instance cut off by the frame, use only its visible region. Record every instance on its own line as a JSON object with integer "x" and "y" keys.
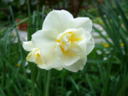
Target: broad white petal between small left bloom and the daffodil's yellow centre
{"x": 47, "y": 48}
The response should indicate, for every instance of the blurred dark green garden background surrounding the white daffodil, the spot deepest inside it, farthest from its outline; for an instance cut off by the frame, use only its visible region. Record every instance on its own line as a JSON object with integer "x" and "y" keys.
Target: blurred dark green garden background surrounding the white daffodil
{"x": 105, "y": 73}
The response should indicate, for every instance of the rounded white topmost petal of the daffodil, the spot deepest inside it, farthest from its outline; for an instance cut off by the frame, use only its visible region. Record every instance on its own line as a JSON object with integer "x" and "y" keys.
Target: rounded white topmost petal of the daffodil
{"x": 59, "y": 20}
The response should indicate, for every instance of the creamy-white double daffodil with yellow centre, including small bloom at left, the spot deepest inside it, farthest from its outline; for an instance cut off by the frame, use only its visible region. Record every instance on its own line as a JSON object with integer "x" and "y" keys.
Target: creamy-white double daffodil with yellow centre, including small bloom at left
{"x": 63, "y": 42}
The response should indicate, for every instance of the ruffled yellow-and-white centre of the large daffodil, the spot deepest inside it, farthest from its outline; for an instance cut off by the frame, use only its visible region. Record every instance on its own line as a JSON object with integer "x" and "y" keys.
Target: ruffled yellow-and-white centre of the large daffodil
{"x": 66, "y": 39}
